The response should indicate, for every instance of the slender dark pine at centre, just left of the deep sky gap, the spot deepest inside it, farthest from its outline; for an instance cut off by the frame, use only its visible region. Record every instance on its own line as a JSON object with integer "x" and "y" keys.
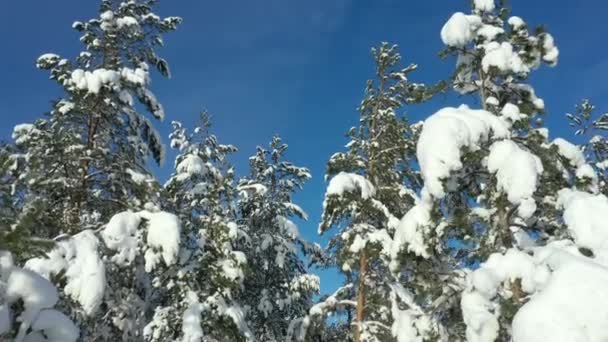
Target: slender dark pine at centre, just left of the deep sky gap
{"x": 277, "y": 287}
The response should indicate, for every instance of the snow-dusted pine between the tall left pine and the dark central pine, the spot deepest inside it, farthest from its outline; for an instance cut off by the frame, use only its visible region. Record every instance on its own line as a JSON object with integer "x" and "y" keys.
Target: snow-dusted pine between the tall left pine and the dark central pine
{"x": 201, "y": 303}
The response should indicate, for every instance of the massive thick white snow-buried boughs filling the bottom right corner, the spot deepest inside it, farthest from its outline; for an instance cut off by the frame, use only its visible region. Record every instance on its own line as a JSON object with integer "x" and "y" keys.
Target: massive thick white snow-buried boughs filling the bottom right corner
{"x": 560, "y": 286}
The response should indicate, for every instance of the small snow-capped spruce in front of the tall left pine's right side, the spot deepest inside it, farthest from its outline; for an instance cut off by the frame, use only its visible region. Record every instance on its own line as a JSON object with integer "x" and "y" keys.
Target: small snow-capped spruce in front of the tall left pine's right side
{"x": 141, "y": 248}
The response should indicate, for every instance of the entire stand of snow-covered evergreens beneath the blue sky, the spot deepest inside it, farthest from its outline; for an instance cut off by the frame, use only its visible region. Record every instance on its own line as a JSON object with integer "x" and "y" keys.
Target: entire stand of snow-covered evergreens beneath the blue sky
{"x": 492, "y": 232}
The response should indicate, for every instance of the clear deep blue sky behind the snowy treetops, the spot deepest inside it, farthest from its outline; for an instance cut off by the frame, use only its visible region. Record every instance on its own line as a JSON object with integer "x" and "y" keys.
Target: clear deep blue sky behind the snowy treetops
{"x": 294, "y": 67}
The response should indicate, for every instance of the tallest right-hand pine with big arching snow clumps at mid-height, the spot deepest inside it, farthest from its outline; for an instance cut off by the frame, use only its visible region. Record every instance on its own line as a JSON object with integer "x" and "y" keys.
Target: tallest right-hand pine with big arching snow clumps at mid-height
{"x": 482, "y": 204}
